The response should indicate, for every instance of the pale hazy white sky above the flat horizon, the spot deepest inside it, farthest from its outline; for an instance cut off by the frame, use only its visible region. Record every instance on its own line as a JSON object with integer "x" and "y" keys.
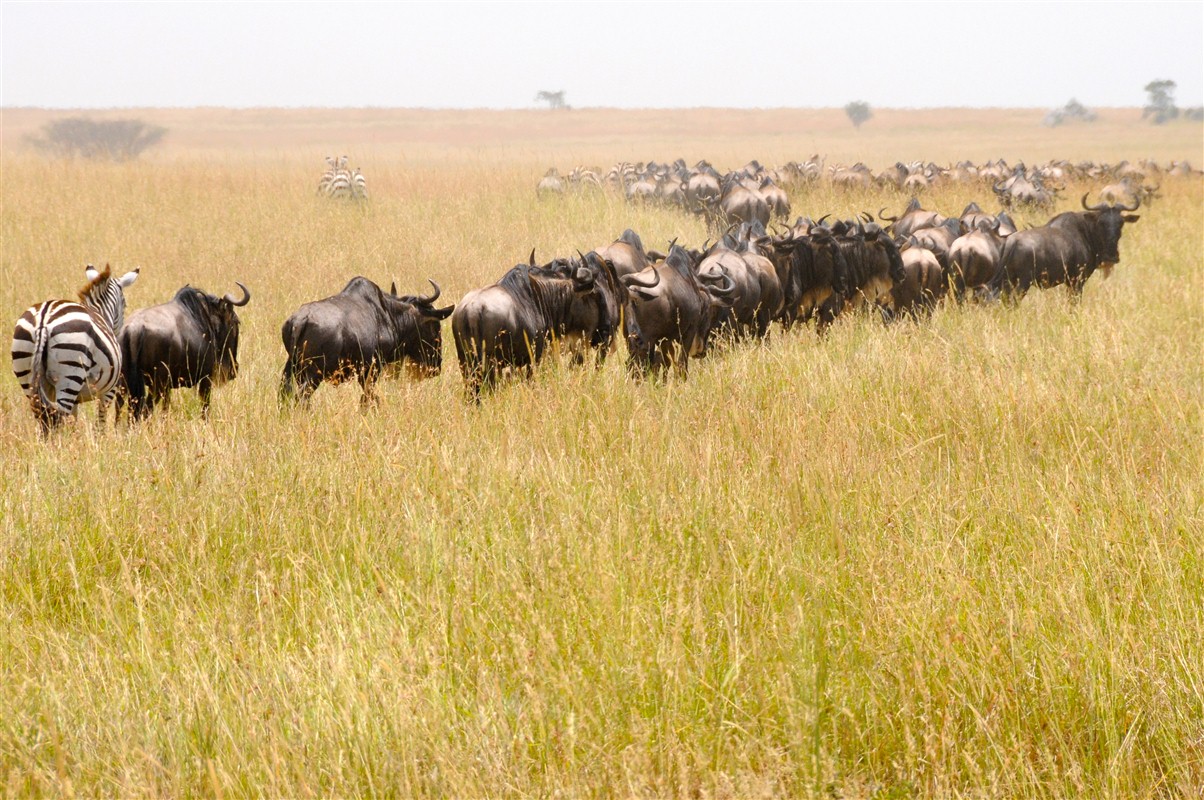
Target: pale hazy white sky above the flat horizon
{"x": 622, "y": 55}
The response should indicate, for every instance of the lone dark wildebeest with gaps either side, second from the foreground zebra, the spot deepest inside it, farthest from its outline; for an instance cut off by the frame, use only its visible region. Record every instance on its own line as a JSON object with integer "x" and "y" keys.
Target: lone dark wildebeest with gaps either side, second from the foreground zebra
{"x": 357, "y": 334}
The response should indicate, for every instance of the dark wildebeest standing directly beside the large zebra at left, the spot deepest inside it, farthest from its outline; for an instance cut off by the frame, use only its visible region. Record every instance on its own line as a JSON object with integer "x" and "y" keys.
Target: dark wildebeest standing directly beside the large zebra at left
{"x": 190, "y": 342}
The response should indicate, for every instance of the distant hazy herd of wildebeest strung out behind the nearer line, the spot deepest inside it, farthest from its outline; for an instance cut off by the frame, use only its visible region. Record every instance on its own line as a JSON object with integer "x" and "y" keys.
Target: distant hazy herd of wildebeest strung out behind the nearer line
{"x": 758, "y": 193}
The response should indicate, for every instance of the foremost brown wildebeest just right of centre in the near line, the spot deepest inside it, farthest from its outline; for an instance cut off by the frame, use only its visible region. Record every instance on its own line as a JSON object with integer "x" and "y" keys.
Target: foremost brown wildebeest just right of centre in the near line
{"x": 675, "y": 310}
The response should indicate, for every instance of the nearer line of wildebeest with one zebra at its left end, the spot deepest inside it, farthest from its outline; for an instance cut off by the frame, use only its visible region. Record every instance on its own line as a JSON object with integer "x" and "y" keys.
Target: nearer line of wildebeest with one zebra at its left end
{"x": 666, "y": 307}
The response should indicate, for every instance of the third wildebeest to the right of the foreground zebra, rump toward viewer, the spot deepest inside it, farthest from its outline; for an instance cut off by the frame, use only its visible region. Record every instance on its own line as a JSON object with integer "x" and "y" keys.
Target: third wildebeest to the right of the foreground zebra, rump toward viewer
{"x": 511, "y": 323}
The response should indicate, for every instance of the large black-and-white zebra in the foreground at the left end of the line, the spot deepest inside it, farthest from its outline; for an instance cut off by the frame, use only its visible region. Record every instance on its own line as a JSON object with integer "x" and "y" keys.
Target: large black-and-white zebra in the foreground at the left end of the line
{"x": 66, "y": 354}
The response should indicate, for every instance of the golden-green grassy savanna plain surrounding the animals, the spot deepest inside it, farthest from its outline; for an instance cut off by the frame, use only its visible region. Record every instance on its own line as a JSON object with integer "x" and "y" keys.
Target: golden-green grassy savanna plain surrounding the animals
{"x": 953, "y": 558}
